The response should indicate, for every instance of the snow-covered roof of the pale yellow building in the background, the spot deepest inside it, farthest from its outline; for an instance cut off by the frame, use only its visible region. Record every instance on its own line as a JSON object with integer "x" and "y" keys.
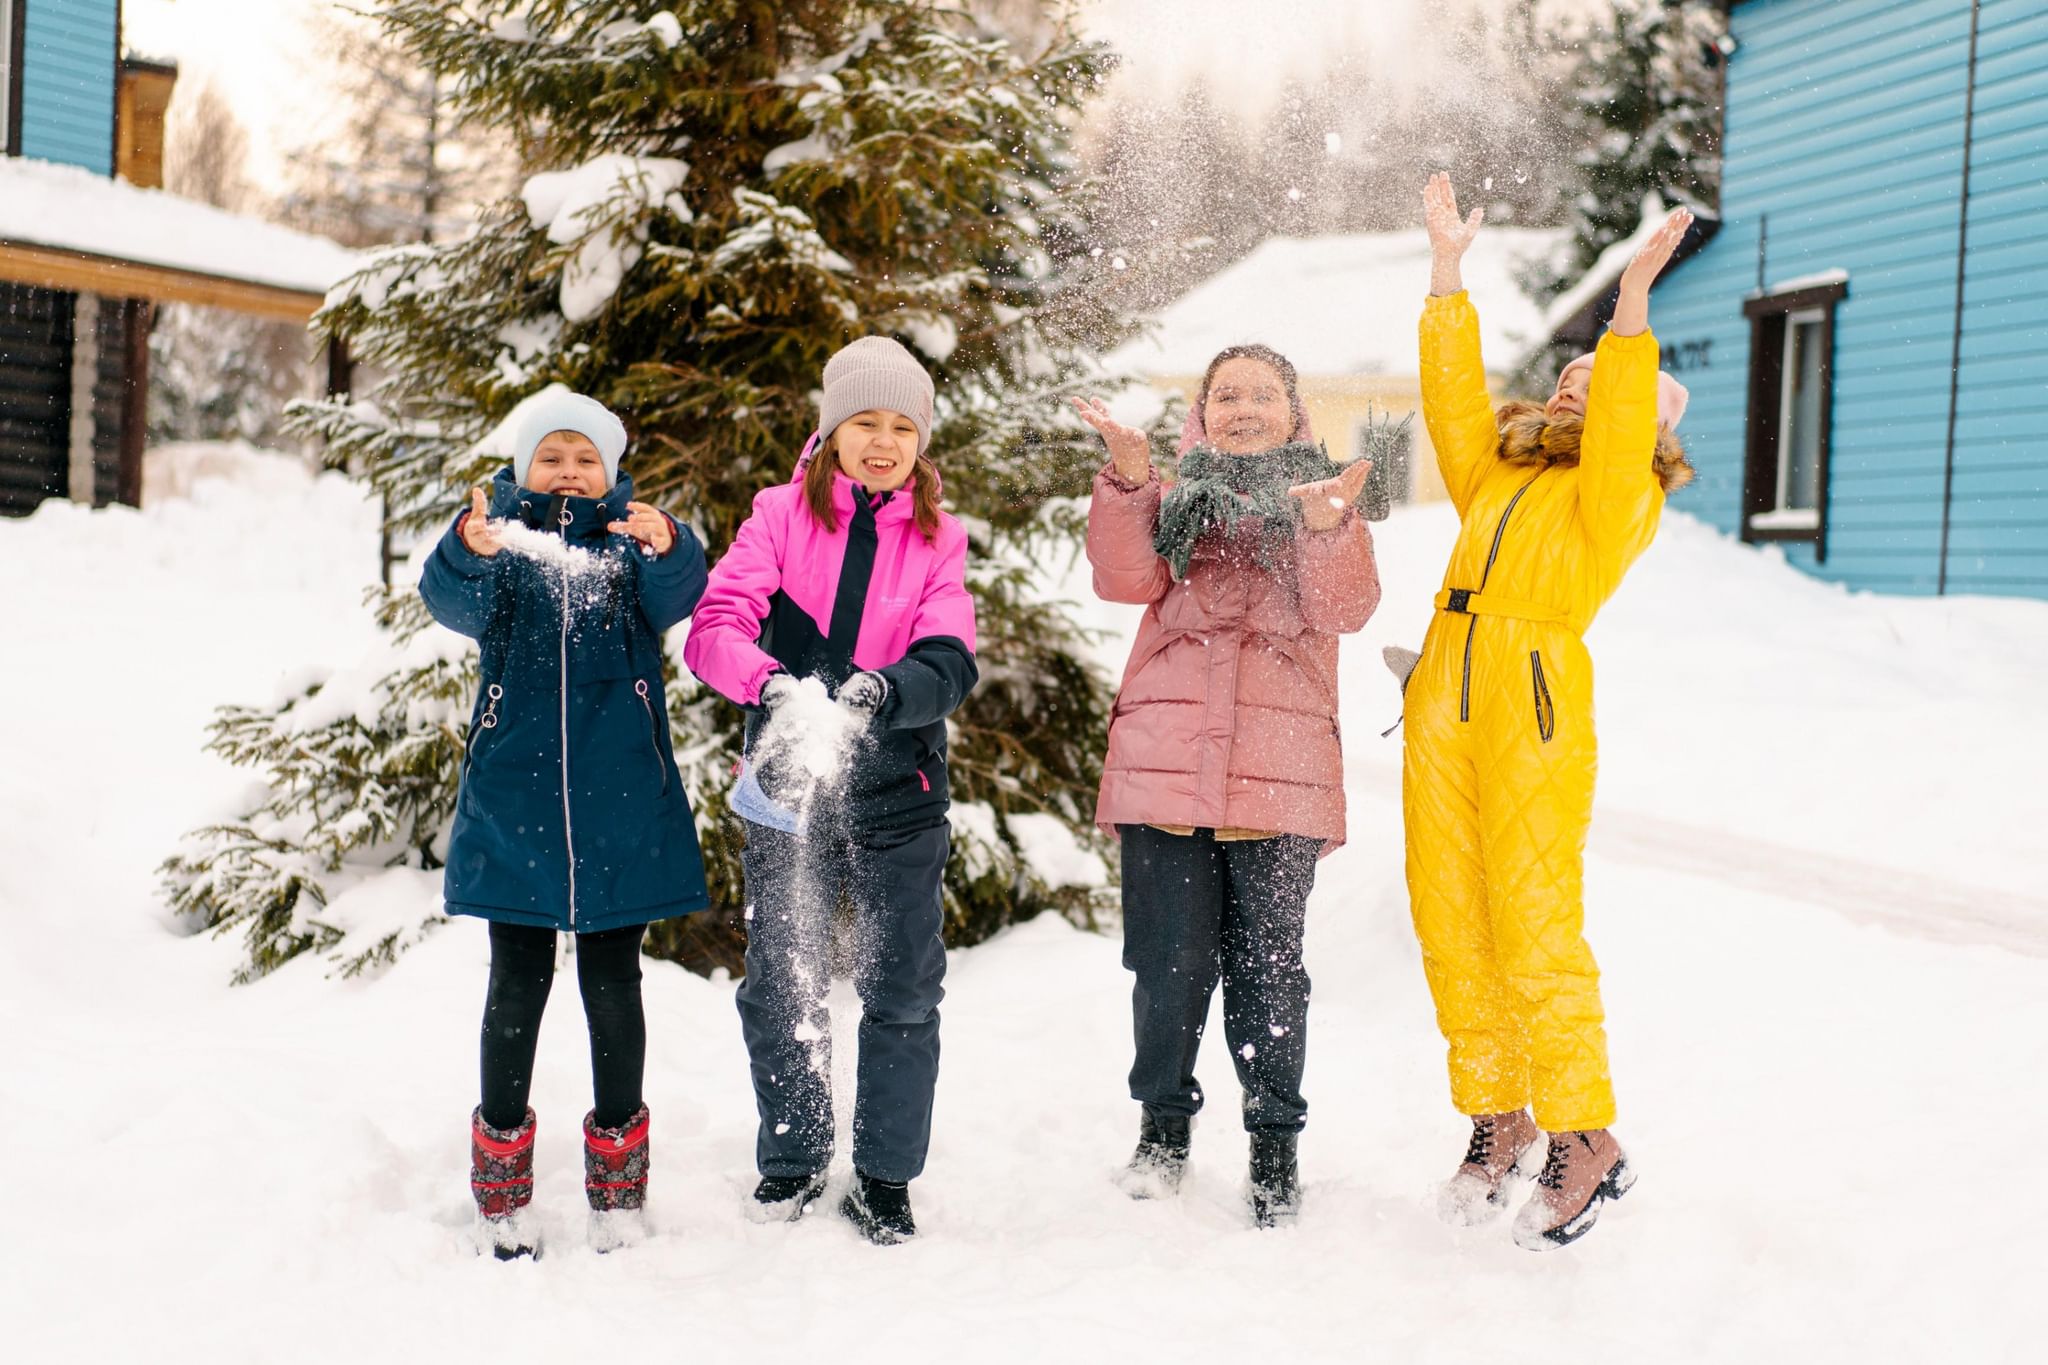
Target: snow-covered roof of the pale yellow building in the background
{"x": 1345, "y": 304}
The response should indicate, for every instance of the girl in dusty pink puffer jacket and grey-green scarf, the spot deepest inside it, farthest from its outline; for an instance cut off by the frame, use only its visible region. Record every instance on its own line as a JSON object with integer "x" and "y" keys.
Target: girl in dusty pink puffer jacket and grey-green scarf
{"x": 1226, "y": 770}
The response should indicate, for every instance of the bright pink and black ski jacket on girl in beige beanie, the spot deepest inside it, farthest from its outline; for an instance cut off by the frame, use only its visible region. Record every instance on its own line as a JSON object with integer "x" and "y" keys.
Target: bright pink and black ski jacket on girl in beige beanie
{"x": 869, "y": 597}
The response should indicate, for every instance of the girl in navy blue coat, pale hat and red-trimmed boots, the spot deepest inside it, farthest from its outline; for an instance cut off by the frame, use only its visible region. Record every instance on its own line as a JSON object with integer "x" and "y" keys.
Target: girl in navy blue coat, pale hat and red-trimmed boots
{"x": 572, "y": 816}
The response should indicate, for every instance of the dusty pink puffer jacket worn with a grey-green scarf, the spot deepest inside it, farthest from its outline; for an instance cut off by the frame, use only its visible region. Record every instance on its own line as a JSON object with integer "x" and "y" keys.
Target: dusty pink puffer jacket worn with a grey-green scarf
{"x": 1228, "y": 715}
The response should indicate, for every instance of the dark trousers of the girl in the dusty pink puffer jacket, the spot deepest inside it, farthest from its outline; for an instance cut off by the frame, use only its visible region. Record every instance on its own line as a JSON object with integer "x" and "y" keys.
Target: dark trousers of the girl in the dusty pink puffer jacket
{"x": 1197, "y": 912}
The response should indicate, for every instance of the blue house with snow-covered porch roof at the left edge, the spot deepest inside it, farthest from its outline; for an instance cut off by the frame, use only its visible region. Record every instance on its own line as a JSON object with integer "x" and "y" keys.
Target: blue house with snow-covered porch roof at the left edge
{"x": 89, "y": 249}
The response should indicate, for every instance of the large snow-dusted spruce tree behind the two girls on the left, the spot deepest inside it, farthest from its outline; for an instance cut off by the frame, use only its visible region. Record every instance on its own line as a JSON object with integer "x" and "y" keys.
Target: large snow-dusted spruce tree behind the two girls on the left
{"x": 742, "y": 189}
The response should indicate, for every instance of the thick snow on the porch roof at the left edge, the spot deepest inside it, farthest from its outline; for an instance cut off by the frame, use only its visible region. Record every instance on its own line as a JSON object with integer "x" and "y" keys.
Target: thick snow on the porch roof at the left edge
{"x": 71, "y": 210}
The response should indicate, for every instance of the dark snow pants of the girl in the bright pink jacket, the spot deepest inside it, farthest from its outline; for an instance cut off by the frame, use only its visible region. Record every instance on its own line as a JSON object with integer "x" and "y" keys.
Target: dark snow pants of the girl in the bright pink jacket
{"x": 892, "y": 881}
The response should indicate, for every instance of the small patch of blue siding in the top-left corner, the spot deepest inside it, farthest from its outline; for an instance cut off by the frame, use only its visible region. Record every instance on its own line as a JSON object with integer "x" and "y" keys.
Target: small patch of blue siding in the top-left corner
{"x": 69, "y": 83}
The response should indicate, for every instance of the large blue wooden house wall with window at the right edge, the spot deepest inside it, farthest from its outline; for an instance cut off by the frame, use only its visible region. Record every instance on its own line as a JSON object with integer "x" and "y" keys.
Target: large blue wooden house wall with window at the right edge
{"x": 1867, "y": 333}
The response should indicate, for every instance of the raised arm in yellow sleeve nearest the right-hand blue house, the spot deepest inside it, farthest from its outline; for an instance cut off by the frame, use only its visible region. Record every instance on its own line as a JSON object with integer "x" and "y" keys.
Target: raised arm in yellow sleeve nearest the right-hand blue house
{"x": 1619, "y": 490}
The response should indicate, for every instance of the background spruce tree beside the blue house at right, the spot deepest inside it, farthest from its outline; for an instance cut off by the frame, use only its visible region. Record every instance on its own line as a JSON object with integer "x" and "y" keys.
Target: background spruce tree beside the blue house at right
{"x": 1646, "y": 118}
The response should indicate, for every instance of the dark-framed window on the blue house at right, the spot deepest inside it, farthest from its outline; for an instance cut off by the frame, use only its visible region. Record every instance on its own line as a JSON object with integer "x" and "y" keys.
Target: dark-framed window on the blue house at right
{"x": 1791, "y": 406}
